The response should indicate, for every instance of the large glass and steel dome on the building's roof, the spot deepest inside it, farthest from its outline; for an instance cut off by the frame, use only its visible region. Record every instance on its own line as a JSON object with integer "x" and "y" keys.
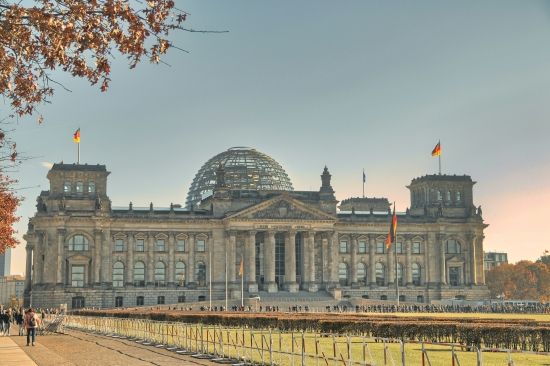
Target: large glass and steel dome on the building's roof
{"x": 245, "y": 168}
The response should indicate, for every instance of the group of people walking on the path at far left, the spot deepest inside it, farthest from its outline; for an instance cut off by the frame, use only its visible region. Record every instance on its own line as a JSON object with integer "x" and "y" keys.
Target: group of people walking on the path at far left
{"x": 26, "y": 320}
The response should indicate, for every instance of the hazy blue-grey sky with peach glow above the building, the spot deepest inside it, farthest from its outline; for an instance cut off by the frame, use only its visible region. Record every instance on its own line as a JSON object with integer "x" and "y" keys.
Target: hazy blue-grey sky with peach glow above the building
{"x": 351, "y": 85}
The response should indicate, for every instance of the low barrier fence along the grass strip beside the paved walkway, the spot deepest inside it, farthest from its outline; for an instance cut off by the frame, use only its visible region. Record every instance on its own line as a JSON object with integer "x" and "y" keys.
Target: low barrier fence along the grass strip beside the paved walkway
{"x": 246, "y": 345}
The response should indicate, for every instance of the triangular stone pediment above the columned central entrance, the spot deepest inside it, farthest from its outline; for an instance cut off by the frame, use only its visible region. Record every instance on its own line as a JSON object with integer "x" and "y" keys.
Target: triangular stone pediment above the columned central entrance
{"x": 282, "y": 208}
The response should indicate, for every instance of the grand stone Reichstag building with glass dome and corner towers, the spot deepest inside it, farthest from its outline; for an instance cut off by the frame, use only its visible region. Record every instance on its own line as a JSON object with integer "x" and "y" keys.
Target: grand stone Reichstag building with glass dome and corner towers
{"x": 242, "y": 208}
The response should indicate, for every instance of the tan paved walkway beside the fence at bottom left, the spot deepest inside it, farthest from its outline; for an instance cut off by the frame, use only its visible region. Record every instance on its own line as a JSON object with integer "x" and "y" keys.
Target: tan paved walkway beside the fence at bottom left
{"x": 83, "y": 349}
